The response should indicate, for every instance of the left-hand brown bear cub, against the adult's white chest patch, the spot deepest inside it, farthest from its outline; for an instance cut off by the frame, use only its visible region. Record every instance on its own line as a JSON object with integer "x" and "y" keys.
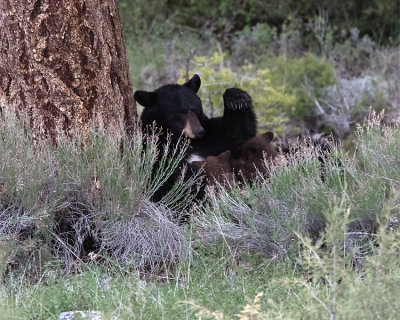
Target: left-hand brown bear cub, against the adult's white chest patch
{"x": 217, "y": 169}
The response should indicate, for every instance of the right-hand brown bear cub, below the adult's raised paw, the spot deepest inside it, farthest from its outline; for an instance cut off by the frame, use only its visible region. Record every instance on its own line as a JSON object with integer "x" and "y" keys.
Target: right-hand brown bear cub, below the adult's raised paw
{"x": 254, "y": 153}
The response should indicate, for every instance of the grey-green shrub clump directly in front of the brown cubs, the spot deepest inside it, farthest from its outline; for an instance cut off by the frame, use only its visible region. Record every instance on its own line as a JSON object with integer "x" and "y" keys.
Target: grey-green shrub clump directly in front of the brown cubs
{"x": 262, "y": 217}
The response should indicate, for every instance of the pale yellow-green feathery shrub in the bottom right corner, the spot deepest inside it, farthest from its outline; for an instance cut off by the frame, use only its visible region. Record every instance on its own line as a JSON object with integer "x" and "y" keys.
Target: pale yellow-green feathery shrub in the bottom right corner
{"x": 332, "y": 279}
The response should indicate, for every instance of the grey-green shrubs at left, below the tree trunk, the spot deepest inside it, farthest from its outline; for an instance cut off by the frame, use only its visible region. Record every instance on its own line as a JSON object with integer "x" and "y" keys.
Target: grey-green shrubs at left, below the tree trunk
{"x": 73, "y": 201}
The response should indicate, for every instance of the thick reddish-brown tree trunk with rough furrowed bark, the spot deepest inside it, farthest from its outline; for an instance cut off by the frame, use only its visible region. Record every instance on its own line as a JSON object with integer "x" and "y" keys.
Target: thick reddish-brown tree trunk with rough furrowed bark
{"x": 63, "y": 66}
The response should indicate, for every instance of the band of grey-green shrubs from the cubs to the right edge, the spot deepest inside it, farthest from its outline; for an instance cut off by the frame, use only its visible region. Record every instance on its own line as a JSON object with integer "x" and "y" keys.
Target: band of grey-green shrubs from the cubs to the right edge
{"x": 296, "y": 197}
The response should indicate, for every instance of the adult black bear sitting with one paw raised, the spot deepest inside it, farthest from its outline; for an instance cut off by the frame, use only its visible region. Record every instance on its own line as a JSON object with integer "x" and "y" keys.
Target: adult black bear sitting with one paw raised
{"x": 177, "y": 110}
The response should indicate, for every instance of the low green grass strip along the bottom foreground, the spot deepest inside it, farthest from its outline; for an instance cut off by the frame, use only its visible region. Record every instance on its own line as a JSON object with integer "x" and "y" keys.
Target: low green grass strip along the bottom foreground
{"x": 220, "y": 288}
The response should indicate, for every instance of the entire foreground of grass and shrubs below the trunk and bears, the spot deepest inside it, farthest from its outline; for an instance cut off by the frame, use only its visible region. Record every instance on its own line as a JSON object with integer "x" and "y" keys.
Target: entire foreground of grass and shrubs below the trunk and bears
{"x": 289, "y": 246}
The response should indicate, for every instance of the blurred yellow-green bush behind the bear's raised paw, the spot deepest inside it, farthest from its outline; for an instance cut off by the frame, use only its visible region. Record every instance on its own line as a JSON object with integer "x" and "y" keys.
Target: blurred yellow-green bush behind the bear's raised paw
{"x": 280, "y": 93}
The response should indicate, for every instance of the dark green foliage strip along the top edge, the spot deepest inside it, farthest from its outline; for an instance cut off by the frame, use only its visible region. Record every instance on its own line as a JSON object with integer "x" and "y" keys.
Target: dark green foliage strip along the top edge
{"x": 378, "y": 19}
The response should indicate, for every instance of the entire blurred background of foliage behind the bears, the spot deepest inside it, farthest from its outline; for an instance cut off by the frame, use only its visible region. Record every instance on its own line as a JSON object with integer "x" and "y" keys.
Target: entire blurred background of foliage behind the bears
{"x": 306, "y": 64}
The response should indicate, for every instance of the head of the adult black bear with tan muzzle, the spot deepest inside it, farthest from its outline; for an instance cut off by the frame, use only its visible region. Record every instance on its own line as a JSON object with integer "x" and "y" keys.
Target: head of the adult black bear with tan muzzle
{"x": 174, "y": 107}
